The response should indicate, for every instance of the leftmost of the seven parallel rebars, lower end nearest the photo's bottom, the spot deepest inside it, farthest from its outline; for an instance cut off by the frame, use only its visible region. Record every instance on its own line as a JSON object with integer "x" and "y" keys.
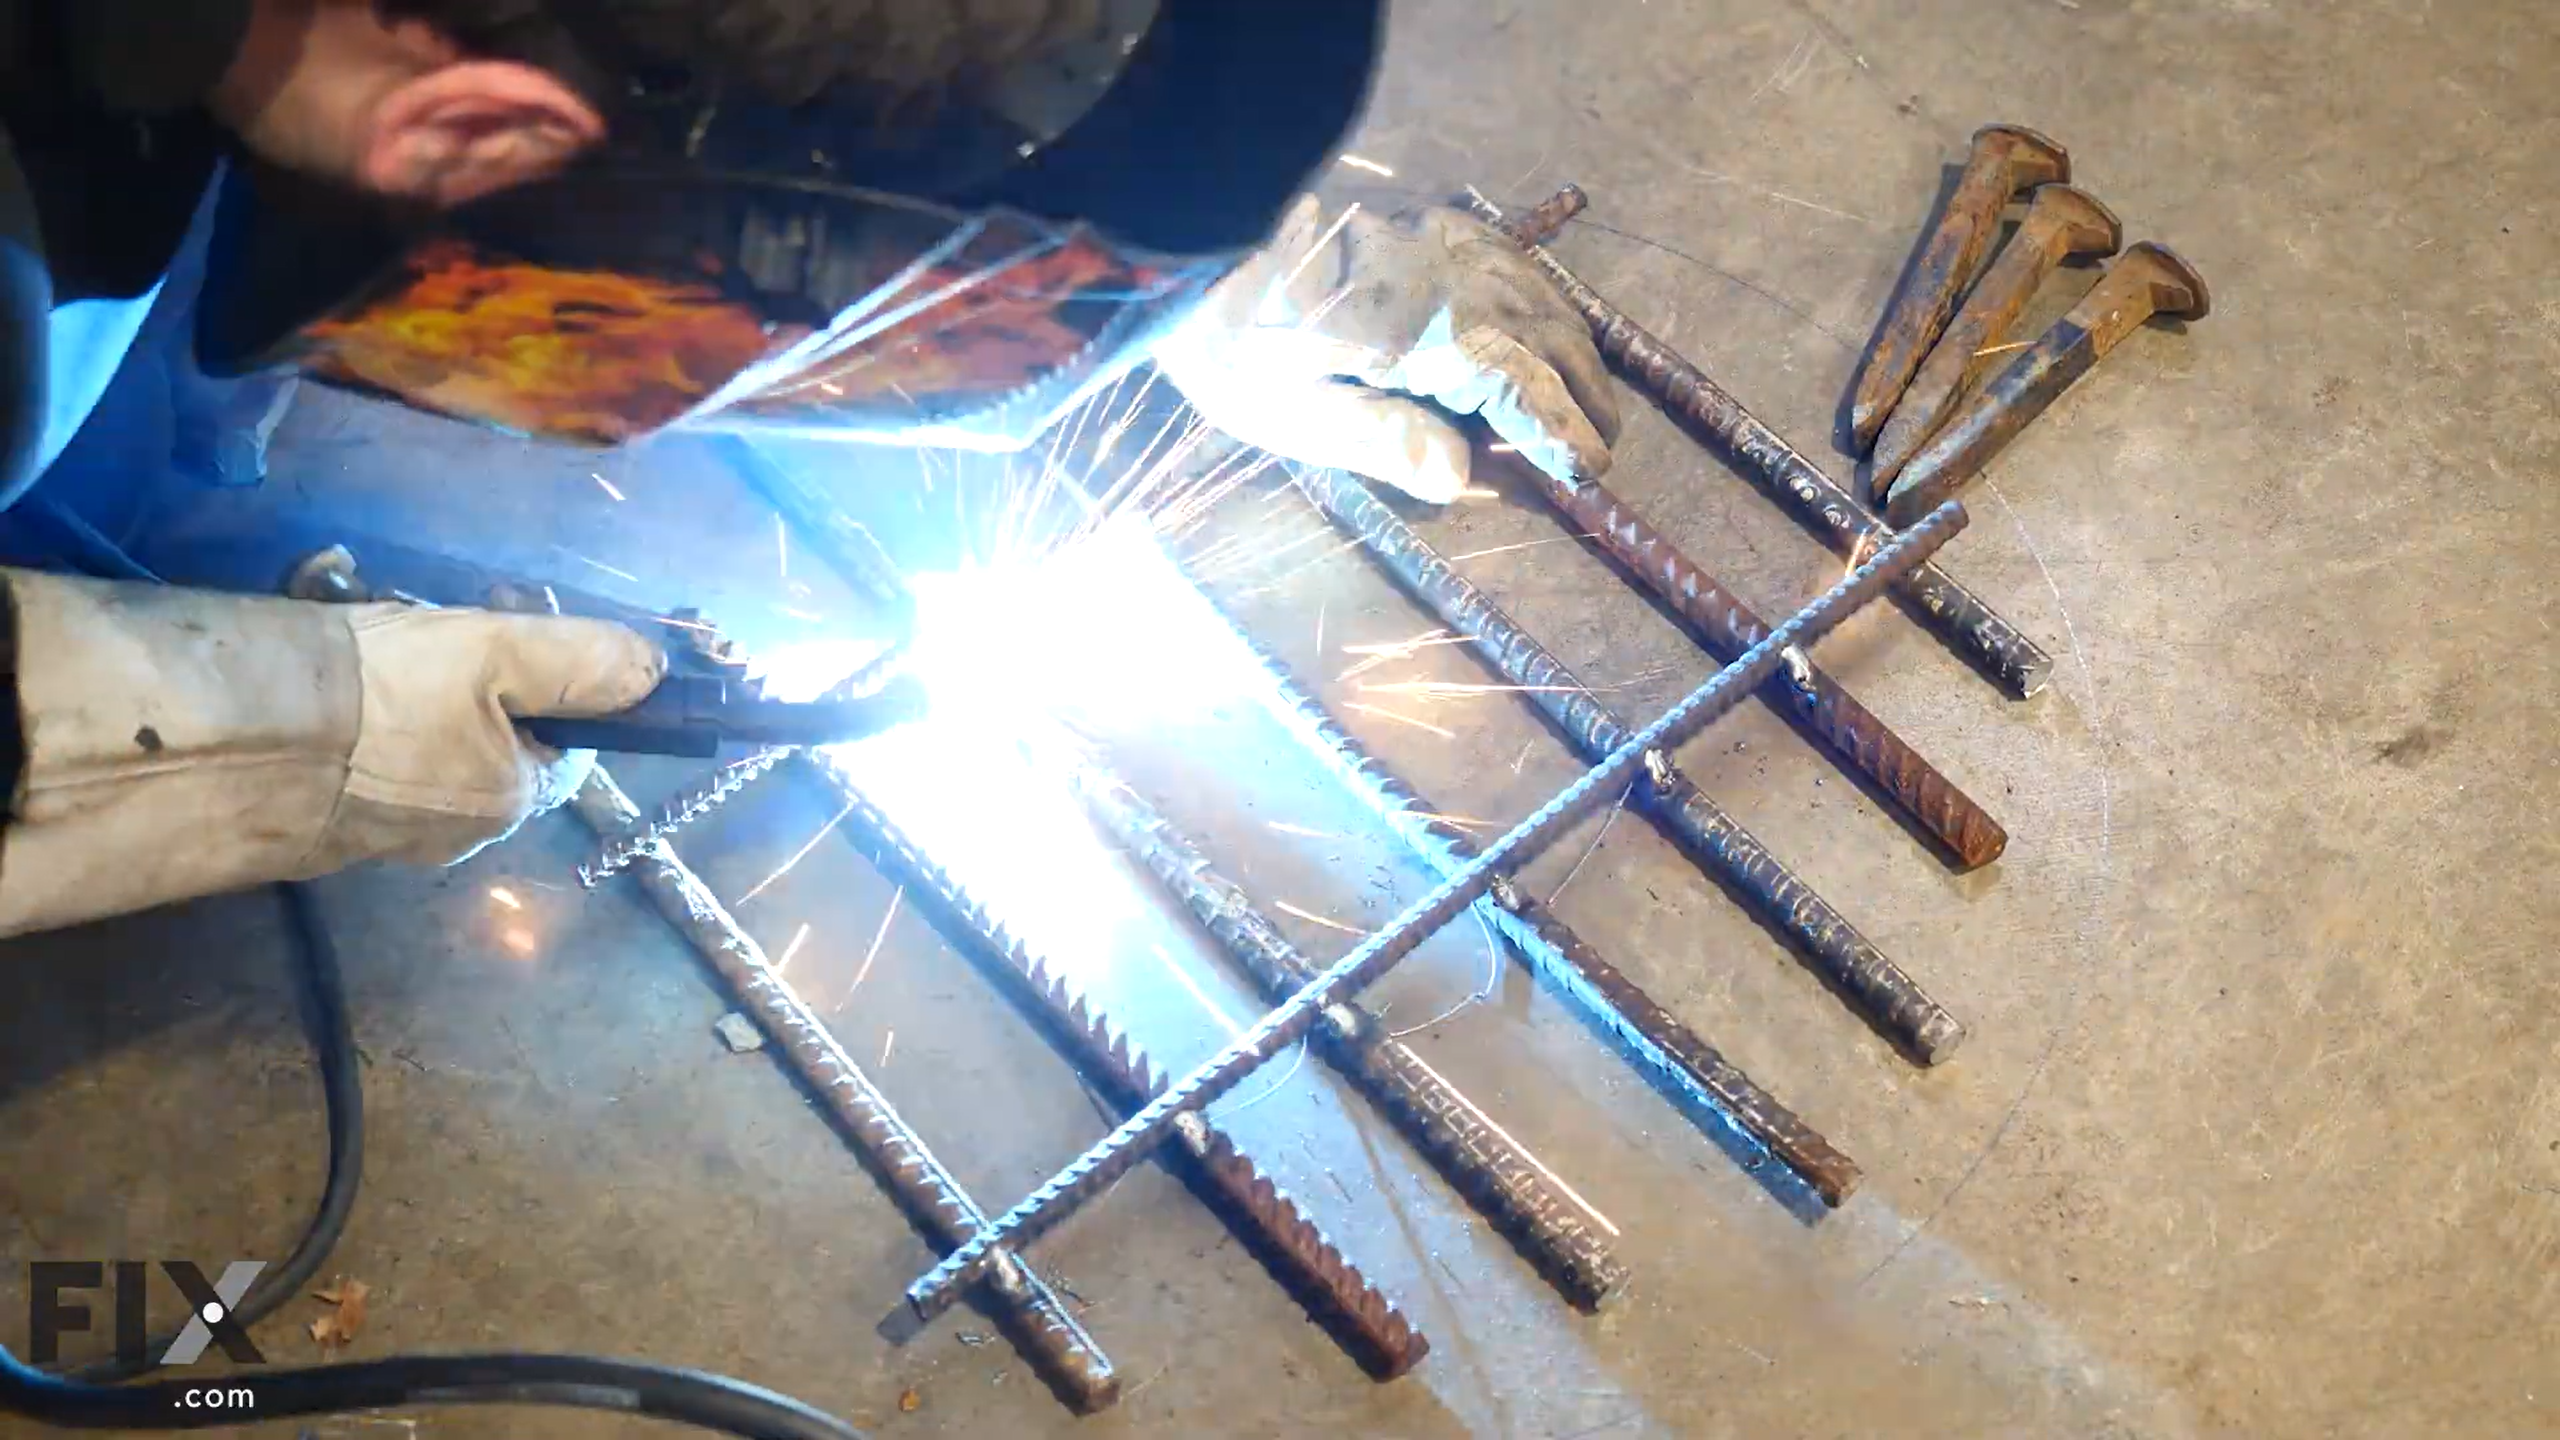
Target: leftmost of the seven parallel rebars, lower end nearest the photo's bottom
{"x": 1025, "y": 1305}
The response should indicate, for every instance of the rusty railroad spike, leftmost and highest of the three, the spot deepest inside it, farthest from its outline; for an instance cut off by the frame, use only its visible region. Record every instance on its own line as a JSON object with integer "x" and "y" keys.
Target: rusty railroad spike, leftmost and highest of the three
{"x": 2006, "y": 160}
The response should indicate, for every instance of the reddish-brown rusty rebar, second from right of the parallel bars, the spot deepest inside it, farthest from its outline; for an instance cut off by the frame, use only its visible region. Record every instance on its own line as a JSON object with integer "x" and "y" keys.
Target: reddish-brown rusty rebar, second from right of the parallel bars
{"x": 1727, "y": 626}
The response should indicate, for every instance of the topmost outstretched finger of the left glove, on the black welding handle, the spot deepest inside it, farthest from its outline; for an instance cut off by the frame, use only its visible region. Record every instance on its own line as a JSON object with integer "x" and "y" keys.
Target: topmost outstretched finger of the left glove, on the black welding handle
{"x": 539, "y": 665}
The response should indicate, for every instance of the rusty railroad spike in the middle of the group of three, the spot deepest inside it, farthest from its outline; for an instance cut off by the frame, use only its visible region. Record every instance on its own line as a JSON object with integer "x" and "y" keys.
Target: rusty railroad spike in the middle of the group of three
{"x": 2062, "y": 222}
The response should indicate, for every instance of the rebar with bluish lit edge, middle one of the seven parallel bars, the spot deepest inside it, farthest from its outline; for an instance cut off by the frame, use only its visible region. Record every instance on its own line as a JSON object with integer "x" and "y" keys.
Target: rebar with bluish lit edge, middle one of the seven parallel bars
{"x": 1558, "y": 954}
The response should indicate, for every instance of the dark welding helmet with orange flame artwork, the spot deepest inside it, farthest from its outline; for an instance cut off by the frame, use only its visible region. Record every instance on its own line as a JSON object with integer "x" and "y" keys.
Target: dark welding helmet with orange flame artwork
{"x": 959, "y": 273}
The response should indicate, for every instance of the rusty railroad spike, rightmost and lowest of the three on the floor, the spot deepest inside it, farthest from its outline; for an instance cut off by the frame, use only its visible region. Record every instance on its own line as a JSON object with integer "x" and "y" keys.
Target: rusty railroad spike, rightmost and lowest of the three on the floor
{"x": 2149, "y": 281}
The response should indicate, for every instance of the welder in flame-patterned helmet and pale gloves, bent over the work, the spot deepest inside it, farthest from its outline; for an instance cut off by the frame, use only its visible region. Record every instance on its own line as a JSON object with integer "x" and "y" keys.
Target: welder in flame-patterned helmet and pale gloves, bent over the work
{"x": 910, "y": 222}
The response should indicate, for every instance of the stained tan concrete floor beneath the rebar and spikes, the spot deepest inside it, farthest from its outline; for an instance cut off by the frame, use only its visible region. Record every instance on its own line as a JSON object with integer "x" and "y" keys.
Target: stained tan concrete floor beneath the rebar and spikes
{"x": 2254, "y": 1131}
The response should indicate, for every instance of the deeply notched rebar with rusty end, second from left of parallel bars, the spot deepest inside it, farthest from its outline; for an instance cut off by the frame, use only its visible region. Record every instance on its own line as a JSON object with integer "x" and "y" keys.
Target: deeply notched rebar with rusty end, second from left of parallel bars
{"x": 1358, "y": 1313}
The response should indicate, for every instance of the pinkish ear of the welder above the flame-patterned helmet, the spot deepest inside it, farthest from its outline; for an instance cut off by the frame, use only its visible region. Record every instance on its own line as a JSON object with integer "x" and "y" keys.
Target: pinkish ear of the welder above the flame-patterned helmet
{"x": 472, "y": 129}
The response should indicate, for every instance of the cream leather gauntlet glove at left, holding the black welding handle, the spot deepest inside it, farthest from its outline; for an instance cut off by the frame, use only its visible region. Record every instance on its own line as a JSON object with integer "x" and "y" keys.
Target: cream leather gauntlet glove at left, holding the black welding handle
{"x": 183, "y": 742}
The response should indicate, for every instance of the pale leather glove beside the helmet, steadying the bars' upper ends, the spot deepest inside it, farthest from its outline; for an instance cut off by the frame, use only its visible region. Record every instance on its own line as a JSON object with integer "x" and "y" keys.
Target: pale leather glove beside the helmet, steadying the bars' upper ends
{"x": 1356, "y": 347}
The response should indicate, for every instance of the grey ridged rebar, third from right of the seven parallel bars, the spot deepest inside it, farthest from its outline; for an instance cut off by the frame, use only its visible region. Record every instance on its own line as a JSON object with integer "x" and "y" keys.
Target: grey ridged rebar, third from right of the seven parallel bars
{"x": 1837, "y": 952}
